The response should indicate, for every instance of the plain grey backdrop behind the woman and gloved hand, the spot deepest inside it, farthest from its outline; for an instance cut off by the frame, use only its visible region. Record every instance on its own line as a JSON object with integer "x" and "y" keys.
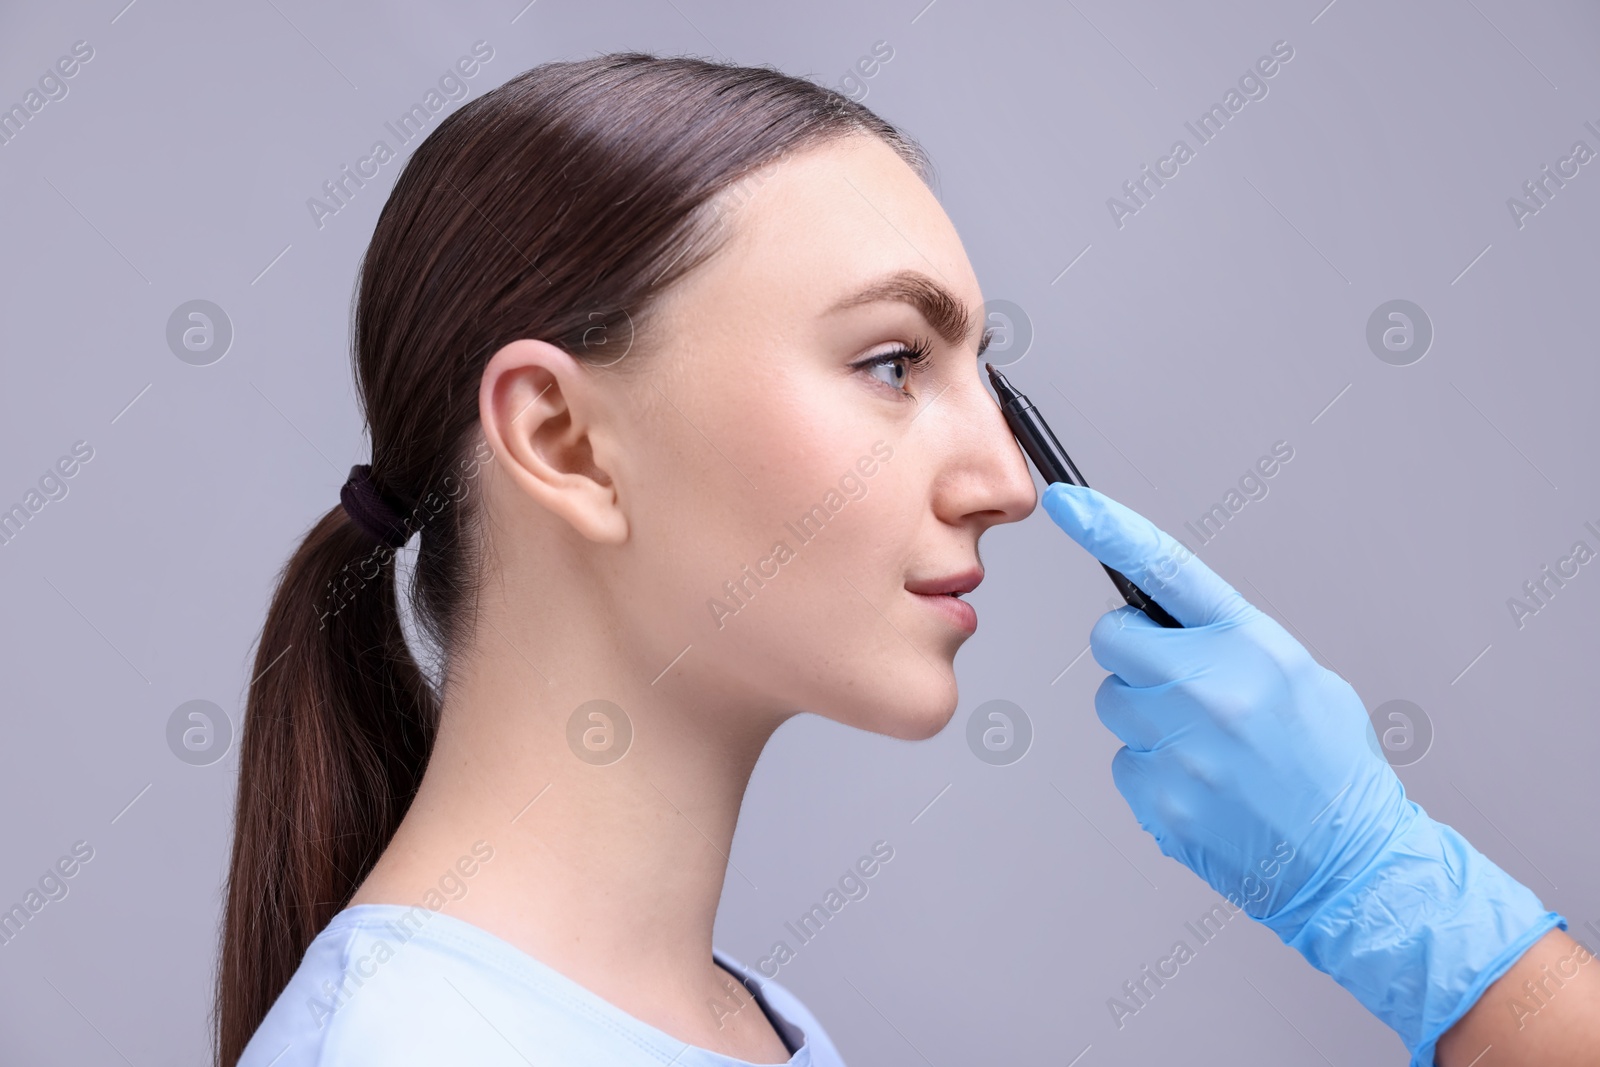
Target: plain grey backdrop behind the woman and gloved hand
{"x": 1223, "y": 318}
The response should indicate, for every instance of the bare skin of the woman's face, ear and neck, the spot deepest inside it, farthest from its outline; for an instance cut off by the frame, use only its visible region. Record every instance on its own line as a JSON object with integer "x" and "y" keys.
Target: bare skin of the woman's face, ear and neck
{"x": 618, "y": 505}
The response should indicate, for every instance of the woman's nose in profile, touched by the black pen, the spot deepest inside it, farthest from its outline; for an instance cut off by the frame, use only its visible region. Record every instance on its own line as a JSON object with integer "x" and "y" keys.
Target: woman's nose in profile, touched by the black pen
{"x": 985, "y": 478}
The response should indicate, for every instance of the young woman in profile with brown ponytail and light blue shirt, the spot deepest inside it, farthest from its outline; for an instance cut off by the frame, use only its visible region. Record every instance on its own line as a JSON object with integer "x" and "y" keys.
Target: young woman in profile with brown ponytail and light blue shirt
{"x": 671, "y": 369}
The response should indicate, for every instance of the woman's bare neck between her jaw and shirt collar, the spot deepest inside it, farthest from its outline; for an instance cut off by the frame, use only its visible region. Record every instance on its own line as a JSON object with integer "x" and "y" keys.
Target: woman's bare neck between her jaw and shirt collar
{"x": 607, "y": 873}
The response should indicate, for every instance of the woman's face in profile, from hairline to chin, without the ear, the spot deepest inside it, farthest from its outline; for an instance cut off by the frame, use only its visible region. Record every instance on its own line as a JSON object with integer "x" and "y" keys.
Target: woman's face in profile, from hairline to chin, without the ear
{"x": 788, "y": 490}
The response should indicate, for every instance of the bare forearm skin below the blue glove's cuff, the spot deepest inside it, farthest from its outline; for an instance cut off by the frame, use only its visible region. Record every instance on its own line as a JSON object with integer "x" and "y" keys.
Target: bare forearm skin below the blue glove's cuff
{"x": 1545, "y": 1010}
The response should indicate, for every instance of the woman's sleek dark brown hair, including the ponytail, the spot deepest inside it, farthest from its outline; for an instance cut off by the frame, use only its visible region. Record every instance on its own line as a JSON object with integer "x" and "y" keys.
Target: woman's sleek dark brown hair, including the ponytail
{"x": 558, "y": 207}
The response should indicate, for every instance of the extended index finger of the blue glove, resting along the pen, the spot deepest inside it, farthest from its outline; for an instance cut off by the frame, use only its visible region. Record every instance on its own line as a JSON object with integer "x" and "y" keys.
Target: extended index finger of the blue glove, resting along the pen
{"x": 1153, "y": 559}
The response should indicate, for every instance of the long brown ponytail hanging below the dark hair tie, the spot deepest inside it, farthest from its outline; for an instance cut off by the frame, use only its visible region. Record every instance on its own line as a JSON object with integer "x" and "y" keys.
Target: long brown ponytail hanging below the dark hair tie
{"x": 338, "y": 727}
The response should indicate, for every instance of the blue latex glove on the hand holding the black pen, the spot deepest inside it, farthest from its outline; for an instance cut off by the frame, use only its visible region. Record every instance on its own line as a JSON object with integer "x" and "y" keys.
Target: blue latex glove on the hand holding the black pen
{"x": 1258, "y": 770}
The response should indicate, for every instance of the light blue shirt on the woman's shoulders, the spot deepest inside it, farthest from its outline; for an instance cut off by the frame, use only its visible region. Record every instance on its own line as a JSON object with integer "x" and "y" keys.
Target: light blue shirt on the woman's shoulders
{"x": 396, "y": 986}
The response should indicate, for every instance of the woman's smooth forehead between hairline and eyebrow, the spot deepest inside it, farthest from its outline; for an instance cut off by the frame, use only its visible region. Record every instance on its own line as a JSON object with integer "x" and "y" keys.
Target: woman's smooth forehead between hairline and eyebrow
{"x": 822, "y": 226}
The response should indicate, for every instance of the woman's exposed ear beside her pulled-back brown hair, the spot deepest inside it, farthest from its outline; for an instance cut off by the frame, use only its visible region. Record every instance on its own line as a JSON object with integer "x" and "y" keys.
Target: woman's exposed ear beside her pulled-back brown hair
{"x": 543, "y": 417}
